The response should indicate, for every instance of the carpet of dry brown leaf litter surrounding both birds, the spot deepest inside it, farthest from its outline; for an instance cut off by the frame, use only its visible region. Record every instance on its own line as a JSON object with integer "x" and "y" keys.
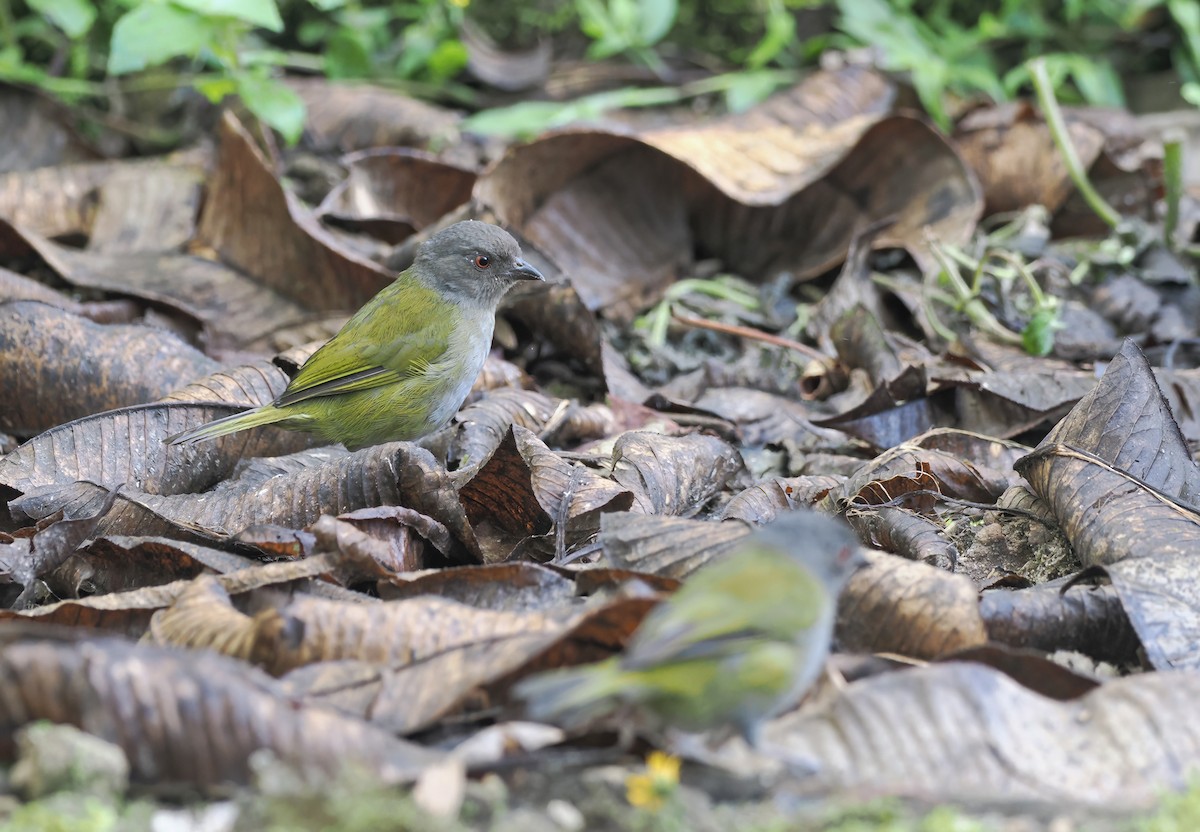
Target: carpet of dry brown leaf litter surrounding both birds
{"x": 260, "y": 594}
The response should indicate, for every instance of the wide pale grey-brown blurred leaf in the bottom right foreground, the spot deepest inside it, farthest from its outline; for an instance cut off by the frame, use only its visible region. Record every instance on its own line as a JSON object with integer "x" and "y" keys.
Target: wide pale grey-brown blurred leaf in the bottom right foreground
{"x": 964, "y": 732}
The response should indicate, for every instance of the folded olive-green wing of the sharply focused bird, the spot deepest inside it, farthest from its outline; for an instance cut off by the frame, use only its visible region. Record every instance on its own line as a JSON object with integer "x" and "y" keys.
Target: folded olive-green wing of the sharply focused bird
{"x": 347, "y": 364}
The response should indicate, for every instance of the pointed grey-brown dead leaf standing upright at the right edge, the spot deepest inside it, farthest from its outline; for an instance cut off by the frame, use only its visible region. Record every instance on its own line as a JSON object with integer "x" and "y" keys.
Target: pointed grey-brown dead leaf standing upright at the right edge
{"x": 1118, "y": 475}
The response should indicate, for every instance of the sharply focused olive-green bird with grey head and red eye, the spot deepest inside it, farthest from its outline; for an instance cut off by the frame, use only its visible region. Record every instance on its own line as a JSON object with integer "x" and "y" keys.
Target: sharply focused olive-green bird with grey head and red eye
{"x": 404, "y": 364}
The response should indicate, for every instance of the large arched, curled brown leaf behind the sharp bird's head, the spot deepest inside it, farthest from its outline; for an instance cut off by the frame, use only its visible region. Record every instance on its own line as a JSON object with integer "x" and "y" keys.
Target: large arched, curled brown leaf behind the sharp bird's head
{"x": 743, "y": 177}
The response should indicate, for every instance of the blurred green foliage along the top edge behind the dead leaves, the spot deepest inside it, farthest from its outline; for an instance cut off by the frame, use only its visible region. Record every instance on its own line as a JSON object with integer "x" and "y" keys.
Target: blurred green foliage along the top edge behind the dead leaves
{"x": 950, "y": 49}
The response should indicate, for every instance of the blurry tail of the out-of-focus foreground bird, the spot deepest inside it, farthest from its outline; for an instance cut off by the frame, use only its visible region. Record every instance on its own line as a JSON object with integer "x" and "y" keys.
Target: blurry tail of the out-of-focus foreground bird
{"x": 575, "y": 696}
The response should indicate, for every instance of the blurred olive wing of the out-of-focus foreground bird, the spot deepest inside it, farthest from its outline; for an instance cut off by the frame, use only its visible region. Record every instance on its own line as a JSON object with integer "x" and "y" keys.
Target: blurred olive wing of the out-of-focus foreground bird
{"x": 754, "y": 595}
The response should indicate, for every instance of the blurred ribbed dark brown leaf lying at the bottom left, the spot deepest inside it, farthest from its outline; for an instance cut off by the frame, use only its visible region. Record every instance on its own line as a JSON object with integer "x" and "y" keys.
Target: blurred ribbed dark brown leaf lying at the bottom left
{"x": 193, "y": 719}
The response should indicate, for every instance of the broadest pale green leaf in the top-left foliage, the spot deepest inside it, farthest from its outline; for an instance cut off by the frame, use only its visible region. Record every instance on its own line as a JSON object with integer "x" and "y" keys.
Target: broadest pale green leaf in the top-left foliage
{"x": 154, "y": 34}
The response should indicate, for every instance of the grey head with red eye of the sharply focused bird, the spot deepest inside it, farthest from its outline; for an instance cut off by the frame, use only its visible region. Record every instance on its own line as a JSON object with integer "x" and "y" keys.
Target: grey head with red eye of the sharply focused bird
{"x": 470, "y": 261}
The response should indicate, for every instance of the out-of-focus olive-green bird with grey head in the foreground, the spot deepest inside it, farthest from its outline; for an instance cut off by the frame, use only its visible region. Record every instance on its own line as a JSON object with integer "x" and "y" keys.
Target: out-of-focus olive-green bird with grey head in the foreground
{"x": 739, "y": 644}
